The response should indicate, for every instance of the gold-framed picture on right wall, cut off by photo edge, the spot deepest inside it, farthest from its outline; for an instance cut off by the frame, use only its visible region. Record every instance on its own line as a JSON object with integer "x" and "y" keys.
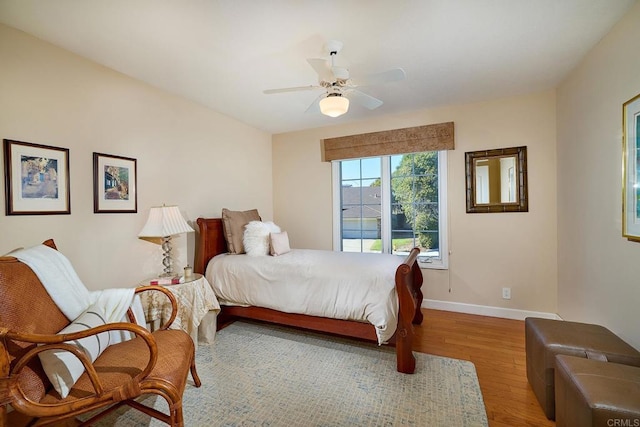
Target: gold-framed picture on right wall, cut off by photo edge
{"x": 631, "y": 169}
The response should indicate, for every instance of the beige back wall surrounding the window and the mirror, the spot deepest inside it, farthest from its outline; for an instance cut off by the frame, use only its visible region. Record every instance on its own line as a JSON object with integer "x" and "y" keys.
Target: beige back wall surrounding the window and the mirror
{"x": 489, "y": 251}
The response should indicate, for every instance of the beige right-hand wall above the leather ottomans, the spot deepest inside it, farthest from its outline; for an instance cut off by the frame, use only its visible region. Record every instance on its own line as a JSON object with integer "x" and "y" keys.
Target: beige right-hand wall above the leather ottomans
{"x": 599, "y": 272}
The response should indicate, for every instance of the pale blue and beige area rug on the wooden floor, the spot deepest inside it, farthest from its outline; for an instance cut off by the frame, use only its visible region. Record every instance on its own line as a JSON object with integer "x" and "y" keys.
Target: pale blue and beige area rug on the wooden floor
{"x": 264, "y": 375}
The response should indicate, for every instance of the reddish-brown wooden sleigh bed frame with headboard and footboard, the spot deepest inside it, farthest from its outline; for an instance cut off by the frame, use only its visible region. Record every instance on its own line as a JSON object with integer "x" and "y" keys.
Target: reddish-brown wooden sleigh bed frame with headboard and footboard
{"x": 407, "y": 278}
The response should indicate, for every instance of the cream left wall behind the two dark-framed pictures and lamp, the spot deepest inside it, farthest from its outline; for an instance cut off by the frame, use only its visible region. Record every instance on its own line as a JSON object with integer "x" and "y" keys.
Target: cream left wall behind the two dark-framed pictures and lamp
{"x": 186, "y": 155}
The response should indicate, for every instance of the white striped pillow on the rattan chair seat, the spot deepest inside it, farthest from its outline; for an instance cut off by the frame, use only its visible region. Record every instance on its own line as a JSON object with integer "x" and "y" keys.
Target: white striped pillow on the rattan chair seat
{"x": 63, "y": 368}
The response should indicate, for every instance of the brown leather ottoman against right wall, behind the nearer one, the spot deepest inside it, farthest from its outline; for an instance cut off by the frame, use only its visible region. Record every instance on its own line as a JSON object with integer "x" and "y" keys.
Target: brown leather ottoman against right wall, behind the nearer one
{"x": 545, "y": 338}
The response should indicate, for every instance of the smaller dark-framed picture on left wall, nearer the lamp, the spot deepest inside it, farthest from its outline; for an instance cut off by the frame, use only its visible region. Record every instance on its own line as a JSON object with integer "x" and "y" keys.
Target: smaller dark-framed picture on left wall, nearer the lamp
{"x": 114, "y": 184}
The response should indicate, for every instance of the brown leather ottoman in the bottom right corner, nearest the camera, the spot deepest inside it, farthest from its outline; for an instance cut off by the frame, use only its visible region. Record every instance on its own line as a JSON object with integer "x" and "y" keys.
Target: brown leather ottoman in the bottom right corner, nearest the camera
{"x": 594, "y": 393}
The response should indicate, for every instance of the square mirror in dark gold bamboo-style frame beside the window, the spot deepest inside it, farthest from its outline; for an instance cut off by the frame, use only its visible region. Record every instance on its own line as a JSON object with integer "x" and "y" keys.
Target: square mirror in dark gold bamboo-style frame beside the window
{"x": 497, "y": 180}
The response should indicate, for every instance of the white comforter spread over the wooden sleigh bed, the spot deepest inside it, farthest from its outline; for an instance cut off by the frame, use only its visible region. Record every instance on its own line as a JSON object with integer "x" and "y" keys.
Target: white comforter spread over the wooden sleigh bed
{"x": 341, "y": 285}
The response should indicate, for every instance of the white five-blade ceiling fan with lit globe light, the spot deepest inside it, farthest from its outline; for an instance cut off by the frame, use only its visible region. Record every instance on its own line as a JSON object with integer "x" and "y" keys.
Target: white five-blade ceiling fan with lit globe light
{"x": 339, "y": 87}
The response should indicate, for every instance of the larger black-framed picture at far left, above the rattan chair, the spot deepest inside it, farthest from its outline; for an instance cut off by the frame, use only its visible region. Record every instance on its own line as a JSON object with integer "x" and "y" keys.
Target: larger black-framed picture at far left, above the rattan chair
{"x": 36, "y": 179}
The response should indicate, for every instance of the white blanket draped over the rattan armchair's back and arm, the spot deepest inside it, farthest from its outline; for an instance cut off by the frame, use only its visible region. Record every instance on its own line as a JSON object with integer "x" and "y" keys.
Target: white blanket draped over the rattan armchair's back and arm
{"x": 72, "y": 297}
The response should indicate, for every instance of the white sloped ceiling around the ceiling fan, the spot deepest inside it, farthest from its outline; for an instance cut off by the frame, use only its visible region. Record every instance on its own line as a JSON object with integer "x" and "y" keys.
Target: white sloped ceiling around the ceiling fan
{"x": 224, "y": 53}
